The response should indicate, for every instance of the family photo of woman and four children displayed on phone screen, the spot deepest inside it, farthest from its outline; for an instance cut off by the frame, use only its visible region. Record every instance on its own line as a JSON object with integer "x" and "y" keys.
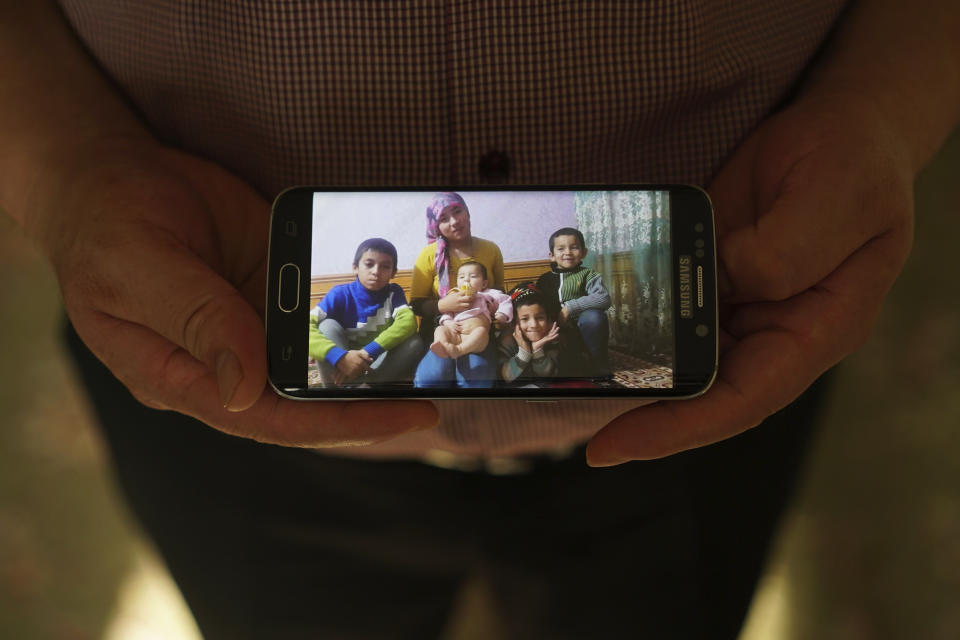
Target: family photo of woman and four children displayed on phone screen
{"x": 482, "y": 289}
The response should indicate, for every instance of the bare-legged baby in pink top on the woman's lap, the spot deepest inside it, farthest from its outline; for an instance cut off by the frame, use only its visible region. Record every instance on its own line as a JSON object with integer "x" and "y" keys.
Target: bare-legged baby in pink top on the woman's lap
{"x": 469, "y": 330}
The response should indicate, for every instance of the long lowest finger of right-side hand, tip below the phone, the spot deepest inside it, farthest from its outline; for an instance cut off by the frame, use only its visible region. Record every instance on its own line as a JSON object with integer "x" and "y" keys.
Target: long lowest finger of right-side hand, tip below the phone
{"x": 783, "y": 348}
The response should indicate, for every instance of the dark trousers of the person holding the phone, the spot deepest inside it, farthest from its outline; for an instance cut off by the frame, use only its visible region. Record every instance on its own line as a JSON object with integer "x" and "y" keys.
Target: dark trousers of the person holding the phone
{"x": 270, "y": 542}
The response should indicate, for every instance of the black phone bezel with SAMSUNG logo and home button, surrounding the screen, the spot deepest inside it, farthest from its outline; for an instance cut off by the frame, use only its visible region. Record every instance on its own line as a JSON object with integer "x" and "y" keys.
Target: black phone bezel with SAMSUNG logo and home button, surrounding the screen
{"x": 695, "y": 357}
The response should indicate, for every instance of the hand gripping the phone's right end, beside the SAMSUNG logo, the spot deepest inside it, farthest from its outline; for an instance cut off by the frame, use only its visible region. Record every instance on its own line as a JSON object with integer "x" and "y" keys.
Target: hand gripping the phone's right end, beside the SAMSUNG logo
{"x": 814, "y": 215}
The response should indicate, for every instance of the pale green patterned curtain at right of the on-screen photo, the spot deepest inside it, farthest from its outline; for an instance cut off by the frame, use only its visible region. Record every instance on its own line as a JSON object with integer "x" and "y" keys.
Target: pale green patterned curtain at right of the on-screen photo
{"x": 628, "y": 238}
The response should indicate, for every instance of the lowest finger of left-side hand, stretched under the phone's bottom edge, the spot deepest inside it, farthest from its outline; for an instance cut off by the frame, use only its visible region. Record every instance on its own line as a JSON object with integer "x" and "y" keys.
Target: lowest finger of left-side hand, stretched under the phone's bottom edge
{"x": 168, "y": 376}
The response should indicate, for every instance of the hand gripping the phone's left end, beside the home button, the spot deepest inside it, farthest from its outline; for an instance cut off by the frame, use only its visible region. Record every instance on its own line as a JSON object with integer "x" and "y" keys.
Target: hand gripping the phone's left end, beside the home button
{"x": 161, "y": 258}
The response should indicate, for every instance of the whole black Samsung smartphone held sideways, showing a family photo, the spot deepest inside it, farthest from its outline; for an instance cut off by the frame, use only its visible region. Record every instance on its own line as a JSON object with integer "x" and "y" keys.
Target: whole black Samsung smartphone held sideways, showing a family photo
{"x": 592, "y": 291}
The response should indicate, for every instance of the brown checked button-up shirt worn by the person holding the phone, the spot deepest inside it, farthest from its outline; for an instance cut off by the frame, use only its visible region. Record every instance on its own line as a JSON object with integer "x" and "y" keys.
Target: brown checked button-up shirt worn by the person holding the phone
{"x": 363, "y": 92}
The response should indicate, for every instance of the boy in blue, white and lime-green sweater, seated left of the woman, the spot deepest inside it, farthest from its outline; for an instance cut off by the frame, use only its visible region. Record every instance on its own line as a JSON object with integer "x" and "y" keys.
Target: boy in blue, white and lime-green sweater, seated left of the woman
{"x": 365, "y": 332}
